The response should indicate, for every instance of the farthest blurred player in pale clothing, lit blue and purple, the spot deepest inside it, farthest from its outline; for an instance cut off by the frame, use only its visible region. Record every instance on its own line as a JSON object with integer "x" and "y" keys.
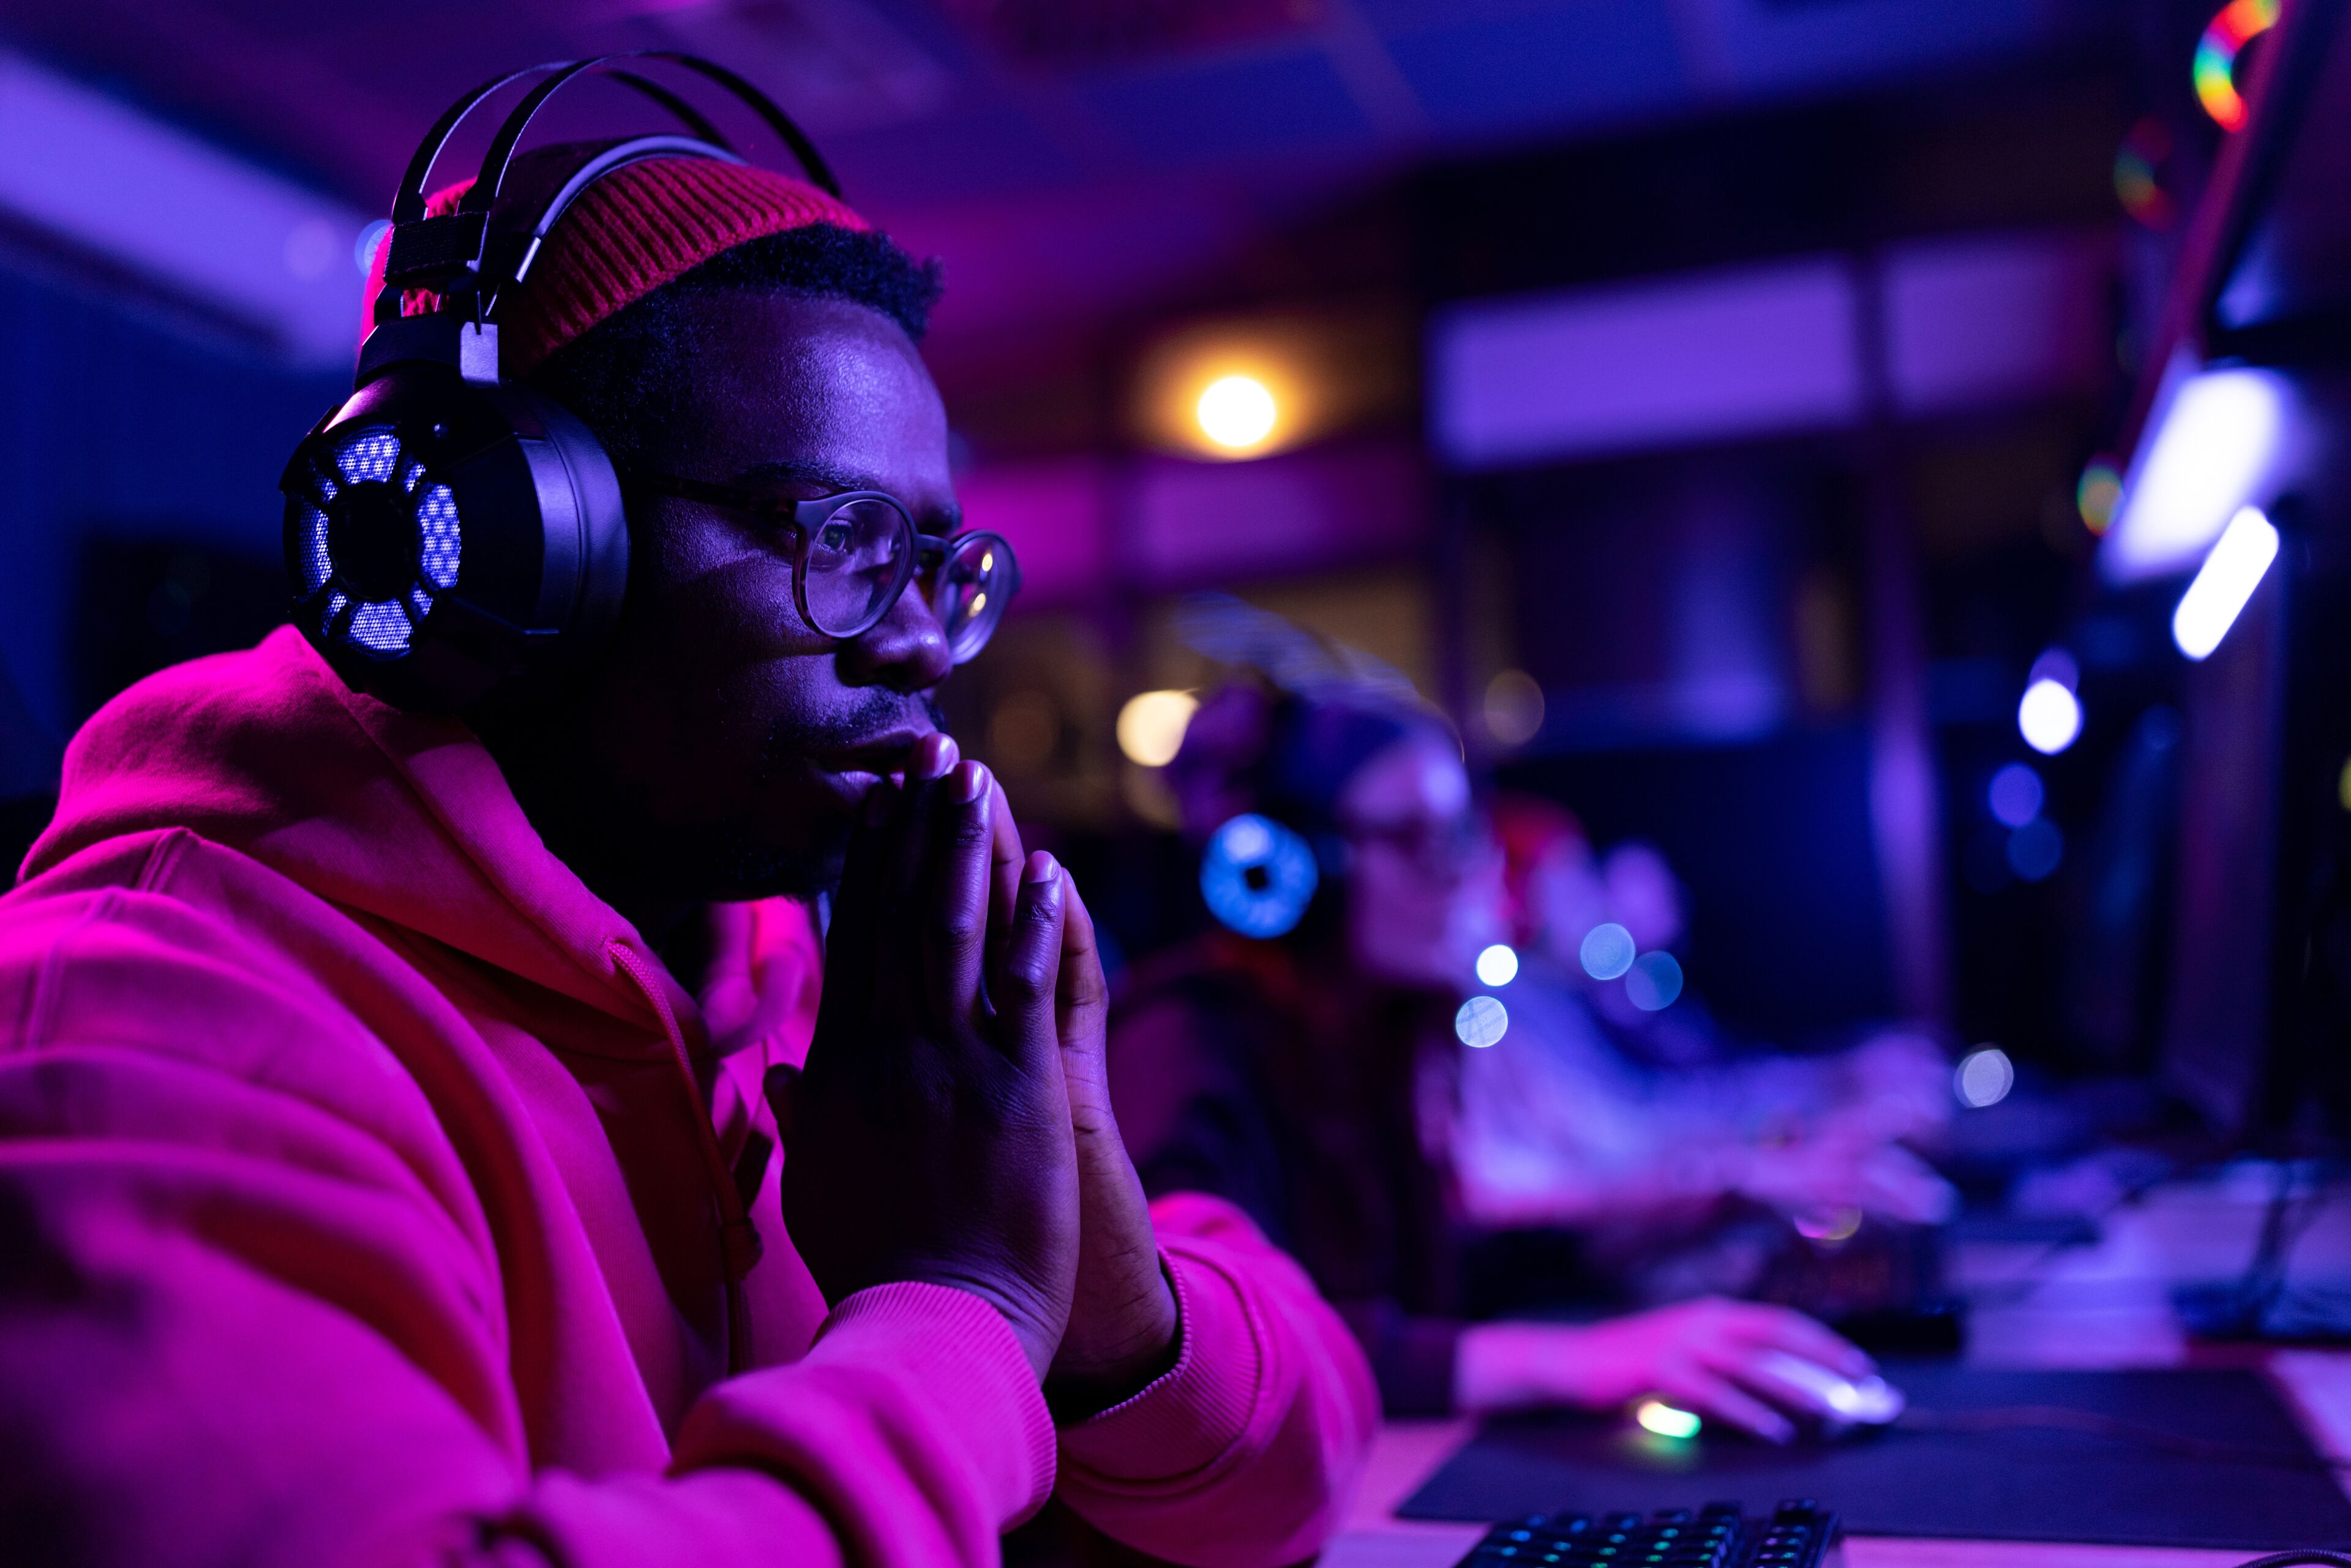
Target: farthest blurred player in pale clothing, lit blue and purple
{"x": 1630, "y": 1118}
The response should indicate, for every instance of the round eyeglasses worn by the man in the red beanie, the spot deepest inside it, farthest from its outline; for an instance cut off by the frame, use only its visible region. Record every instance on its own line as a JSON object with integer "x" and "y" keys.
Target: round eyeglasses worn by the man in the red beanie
{"x": 855, "y": 554}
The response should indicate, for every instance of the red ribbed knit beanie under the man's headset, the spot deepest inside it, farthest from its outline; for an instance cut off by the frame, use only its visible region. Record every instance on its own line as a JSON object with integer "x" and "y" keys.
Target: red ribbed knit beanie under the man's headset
{"x": 629, "y": 234}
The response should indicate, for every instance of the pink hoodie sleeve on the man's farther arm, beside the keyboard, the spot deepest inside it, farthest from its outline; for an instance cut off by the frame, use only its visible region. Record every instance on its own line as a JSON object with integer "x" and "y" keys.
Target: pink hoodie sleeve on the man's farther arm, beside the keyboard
{"x": 1247, "y": 1452}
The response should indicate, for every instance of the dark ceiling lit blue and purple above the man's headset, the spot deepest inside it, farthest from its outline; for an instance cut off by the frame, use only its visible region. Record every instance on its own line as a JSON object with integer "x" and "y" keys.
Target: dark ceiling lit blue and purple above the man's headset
{"x": 1069, "y": 159}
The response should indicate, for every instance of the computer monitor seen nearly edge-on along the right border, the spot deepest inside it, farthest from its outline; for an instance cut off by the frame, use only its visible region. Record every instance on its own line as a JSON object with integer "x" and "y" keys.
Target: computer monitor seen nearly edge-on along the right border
{"x": 2258, "y": 1028}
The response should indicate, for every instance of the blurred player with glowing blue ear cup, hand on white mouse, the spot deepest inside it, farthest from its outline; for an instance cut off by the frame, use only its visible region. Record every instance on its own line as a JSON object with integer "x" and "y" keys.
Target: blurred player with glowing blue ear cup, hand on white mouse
{"x": 1311, "y": 1078}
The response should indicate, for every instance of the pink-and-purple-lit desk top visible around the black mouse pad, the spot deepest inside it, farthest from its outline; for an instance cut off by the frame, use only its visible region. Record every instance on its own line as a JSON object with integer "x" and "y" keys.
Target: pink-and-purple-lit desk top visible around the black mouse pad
{"x": 2103, "y": 1306}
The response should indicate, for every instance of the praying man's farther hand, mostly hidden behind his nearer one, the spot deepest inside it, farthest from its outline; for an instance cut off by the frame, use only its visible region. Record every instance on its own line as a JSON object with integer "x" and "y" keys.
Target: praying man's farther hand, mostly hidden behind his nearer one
{"x": 1123, "y": 1315}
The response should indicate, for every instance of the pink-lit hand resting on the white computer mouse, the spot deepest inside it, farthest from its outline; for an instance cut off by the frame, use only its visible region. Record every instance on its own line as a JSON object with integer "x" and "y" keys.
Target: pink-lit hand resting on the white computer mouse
{"x": 1708, "y": 1355}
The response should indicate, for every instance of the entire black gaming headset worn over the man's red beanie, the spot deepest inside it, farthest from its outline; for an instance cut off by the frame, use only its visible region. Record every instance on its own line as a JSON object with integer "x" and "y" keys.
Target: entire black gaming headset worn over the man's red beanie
{"x": 457, "y": 540}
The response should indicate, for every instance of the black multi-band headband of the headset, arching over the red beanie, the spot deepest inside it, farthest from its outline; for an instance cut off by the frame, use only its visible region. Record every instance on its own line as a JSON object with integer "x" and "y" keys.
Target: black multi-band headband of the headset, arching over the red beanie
{"x": 448, "y": 253}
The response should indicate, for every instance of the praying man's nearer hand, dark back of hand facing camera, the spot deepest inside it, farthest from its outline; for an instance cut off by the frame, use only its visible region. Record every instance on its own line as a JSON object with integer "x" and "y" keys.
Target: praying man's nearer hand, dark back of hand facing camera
{"x": 930, "y": 1134}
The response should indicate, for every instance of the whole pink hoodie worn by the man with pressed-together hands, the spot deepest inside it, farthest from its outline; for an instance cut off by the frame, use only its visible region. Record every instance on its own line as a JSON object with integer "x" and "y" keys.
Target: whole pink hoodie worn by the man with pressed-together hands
{"x": 354, "y": 1209}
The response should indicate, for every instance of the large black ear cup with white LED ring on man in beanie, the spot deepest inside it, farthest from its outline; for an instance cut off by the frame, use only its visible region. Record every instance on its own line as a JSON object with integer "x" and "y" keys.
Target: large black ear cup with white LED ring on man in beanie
{"x": 450, "y": 542}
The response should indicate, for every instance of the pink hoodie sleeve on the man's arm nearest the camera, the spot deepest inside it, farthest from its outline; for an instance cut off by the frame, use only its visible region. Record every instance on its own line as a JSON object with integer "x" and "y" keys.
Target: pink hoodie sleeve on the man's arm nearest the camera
{"x": 250, "y": 1313}
